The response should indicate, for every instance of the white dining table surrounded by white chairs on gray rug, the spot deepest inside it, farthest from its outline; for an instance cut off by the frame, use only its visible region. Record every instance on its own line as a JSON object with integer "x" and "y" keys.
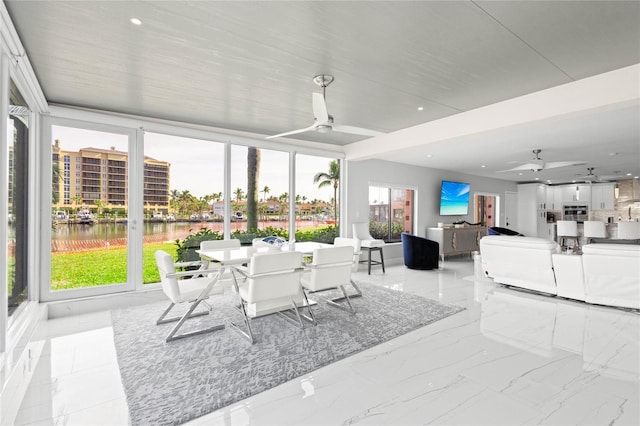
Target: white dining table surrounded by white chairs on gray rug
{"x": 227, "y": 257}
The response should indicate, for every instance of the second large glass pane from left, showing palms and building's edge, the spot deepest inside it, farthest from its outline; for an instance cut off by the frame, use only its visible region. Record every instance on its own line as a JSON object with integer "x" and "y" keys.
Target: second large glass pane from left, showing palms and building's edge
{"x": 183, "y": 197}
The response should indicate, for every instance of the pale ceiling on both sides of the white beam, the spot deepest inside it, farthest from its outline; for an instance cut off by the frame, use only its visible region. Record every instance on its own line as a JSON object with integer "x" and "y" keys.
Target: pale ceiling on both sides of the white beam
{"x": 248, "y": 66}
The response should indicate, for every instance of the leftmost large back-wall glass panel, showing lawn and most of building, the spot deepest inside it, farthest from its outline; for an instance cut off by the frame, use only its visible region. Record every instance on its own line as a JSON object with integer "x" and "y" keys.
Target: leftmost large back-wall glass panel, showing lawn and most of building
{"x": 90, "y": 215}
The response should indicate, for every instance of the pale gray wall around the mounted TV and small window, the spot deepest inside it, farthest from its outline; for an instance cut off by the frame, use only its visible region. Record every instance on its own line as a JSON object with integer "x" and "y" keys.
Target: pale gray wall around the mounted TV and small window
{"x": 427, "y": 183}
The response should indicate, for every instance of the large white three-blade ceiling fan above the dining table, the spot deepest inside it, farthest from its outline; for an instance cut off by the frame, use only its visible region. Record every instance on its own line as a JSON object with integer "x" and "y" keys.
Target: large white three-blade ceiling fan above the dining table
{"x": 323, "y": 121}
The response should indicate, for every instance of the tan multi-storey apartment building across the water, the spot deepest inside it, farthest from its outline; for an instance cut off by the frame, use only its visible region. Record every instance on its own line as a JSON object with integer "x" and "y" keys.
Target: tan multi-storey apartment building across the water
{"x": 81, "y": 178}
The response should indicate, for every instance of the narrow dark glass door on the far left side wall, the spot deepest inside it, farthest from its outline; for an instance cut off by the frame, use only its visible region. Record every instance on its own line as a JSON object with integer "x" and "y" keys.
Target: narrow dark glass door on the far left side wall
{"x": 18, "y": 153}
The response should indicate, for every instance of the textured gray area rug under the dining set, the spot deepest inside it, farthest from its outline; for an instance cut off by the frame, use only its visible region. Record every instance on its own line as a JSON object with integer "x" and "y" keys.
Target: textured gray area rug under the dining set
{"x": 172, "y": 383}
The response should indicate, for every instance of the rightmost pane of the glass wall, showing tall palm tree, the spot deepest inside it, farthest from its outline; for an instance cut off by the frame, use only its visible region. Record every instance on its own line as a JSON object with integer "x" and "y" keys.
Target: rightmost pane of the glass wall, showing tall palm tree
{"x": 317, "y": 190}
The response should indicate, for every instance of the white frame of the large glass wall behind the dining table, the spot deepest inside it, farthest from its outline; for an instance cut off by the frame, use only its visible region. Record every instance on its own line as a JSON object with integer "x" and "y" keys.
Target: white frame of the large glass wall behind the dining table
{"x": 95, "y": 120}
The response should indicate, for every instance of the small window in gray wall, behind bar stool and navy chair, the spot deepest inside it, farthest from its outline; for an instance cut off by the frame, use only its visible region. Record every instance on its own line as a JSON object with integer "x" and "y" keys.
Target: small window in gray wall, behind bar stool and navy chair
{"x": 390, "y": 212}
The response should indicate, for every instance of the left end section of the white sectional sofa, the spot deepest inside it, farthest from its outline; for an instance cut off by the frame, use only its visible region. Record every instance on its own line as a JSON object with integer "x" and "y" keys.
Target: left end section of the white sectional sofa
{"x": 520, "y": 261}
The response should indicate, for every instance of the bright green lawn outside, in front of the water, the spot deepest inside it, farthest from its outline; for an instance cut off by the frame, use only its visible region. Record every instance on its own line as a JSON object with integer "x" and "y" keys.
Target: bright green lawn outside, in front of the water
{"x": 101, "y": 267}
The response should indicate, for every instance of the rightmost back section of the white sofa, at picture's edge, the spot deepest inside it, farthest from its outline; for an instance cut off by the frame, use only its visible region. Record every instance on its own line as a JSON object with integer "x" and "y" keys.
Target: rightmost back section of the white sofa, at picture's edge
{"x": 612, "y": 274}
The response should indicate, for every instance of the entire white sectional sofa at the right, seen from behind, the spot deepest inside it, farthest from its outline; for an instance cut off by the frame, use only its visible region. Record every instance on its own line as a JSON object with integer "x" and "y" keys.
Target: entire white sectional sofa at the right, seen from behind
{"x": 606, "y": 274}
